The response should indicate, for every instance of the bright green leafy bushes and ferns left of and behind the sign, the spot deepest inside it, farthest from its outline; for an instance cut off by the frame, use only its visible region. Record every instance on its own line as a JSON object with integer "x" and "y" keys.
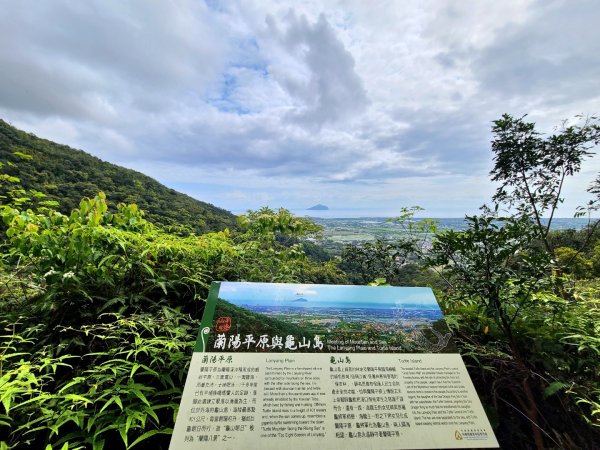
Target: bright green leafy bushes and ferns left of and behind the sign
{"x": 94, "y": 308}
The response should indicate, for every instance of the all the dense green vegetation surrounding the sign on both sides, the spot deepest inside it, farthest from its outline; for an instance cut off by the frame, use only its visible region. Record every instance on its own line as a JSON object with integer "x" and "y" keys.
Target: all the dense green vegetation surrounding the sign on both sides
{"x": 100, "y": 307}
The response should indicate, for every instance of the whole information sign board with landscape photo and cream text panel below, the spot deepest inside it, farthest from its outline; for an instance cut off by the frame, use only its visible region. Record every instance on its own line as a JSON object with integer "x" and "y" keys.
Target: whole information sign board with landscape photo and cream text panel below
{"x": 331, "y": 367}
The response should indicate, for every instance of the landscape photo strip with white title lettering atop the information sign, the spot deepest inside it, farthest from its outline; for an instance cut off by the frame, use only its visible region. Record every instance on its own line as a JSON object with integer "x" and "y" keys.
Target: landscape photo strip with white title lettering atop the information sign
{"x": 303, "y": 318}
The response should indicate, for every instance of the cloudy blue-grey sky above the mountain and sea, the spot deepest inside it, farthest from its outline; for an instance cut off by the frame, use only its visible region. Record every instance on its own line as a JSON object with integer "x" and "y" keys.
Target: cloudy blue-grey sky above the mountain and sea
{"x": 363, "y": 106}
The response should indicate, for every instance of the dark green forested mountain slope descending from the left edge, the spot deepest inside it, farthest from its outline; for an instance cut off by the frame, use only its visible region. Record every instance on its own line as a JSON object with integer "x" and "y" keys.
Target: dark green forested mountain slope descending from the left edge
{"x": 66, "y": 175}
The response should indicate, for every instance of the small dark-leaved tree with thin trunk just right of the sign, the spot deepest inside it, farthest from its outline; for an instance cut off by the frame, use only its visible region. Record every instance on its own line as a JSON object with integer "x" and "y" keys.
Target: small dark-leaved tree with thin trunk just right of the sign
{"x": 494, "y": 266}
